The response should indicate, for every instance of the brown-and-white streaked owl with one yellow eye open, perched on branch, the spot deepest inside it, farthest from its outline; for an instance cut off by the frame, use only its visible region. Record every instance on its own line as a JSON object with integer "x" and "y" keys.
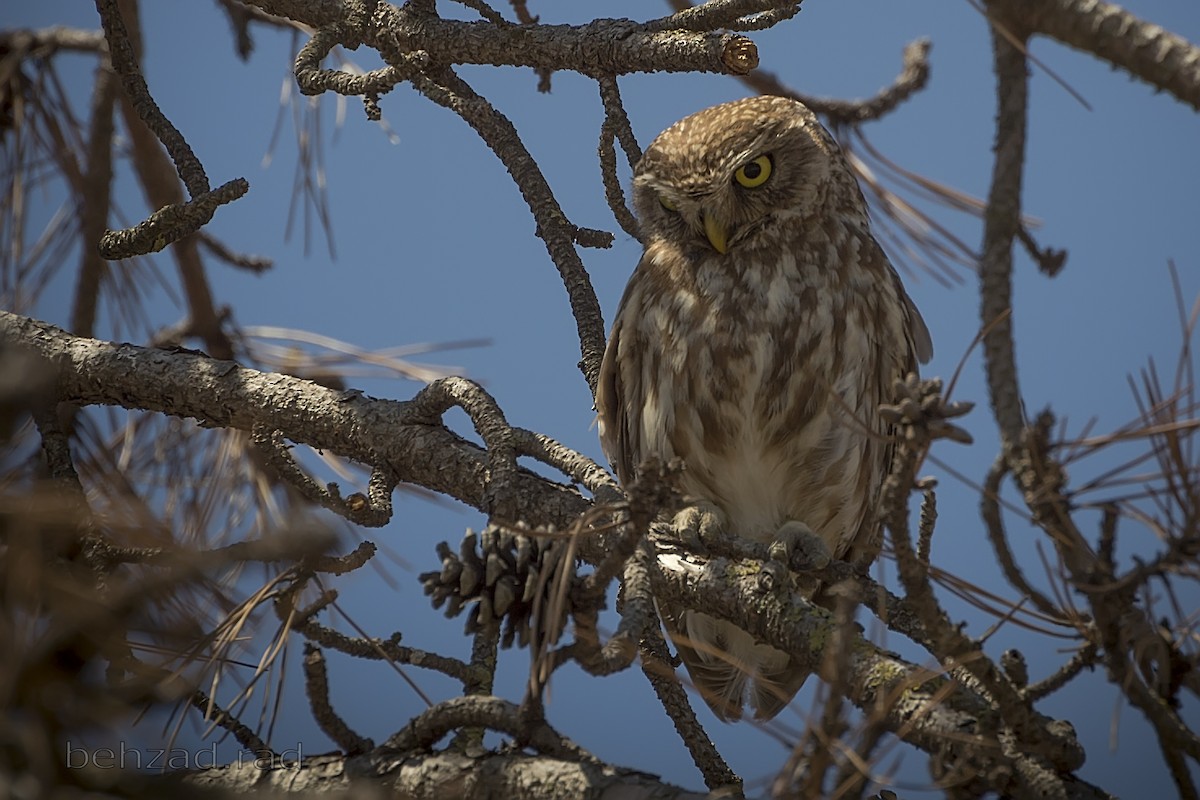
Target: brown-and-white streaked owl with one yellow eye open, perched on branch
{"x": 757, "y": 340}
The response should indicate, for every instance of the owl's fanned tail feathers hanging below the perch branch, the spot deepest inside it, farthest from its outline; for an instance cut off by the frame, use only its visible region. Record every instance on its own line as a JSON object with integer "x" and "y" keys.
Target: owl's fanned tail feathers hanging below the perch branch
{"x": 725, "y": 661}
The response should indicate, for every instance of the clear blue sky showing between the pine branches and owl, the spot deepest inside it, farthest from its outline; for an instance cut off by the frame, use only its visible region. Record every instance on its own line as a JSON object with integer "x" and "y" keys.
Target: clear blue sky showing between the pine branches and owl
{"x": 435, "y": 244}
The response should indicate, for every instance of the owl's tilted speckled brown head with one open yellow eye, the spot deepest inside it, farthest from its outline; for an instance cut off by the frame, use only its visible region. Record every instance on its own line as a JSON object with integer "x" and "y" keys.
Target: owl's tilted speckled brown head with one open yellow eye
{"x": 722, "y": 179}
